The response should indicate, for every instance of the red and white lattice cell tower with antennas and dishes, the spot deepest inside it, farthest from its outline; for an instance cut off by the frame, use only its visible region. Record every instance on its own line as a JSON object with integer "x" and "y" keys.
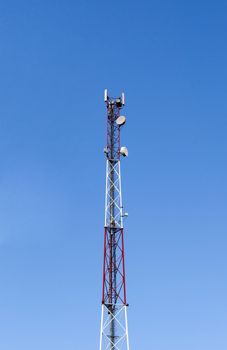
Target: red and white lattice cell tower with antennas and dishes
{"x": 114, "y": 325}
